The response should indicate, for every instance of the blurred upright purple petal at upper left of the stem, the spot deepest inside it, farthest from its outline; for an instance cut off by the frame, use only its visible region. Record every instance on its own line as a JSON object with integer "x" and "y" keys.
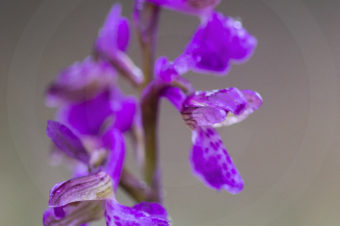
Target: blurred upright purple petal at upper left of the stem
{"x": 114, "y": 35}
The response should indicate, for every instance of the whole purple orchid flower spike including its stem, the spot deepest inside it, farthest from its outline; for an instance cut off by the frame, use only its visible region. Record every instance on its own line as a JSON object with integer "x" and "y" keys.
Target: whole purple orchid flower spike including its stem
{"x": 94, "y": 115}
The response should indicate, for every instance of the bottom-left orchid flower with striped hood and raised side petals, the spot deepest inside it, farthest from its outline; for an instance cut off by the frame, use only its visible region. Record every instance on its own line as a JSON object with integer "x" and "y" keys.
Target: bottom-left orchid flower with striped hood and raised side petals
{"x": 89, "y": 197}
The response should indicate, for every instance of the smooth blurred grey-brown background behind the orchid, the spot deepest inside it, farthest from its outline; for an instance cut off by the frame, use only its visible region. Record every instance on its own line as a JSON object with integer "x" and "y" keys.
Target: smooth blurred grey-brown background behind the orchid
{"x": 287, "y": 152}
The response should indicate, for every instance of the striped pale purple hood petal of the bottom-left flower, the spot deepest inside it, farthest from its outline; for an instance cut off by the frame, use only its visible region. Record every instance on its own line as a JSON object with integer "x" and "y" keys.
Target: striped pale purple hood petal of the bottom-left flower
{"x": 96, "y": 186}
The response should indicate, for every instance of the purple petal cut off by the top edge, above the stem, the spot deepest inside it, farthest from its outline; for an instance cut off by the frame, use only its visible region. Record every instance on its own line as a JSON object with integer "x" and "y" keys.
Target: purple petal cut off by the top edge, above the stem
{"x": 197, "y": 7}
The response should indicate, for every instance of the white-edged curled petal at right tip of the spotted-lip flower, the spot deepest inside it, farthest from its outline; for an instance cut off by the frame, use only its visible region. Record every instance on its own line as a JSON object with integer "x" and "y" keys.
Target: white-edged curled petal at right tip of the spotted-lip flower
{"x": 254, "y": 101}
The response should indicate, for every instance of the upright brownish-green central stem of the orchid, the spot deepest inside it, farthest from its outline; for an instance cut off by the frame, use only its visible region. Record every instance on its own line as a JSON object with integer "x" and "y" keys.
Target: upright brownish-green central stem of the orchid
{"x": 147, "y": 25}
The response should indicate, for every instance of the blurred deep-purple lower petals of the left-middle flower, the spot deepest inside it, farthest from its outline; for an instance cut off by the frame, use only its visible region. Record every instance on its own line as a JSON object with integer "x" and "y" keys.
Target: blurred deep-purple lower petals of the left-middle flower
{"x": 92, "y": 116}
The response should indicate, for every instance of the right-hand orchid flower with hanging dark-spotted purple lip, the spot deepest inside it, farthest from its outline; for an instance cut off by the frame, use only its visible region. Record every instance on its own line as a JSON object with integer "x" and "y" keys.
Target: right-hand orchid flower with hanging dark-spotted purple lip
{"x": 204, "y": 110}
